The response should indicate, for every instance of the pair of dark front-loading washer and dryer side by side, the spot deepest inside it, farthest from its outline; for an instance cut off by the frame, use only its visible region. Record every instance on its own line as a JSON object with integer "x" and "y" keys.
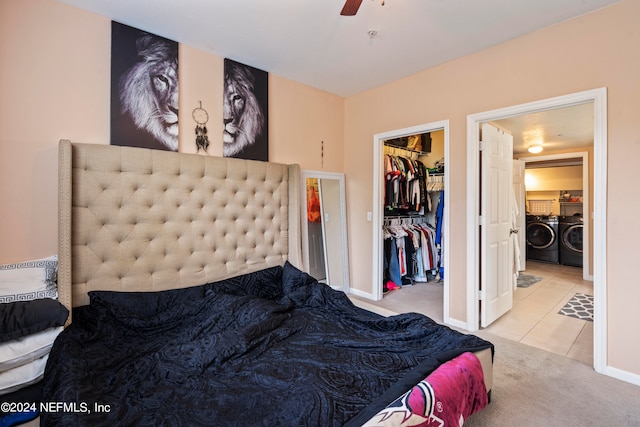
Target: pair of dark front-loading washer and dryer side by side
{"x": 555, "y": 239}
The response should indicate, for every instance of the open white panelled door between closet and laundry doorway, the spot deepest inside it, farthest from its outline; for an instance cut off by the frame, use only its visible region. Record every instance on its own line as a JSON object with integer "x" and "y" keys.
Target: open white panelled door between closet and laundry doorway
{"x": 496, "y": 250}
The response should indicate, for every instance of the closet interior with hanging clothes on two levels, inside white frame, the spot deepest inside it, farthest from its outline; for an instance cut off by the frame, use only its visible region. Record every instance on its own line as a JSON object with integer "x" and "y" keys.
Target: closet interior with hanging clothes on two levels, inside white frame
{"x": 412, "y": 229}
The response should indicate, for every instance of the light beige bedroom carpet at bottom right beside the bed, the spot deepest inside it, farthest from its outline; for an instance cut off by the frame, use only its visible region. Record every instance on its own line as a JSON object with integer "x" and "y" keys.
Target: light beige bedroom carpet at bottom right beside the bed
{"x": 533, "y": 387}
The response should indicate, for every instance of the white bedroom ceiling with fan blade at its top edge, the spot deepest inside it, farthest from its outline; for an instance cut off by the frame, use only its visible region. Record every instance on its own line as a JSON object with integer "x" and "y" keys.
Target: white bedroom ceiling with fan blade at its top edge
{"x": 309, "y": 42}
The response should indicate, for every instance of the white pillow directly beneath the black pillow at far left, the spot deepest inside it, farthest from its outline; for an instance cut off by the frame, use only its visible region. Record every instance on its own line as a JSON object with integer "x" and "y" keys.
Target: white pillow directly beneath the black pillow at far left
{"x": 27, "y": 349}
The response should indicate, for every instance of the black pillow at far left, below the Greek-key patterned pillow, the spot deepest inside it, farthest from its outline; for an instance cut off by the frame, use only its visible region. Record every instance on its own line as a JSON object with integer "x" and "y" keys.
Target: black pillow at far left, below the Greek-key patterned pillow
{"x": 21, "y": 318}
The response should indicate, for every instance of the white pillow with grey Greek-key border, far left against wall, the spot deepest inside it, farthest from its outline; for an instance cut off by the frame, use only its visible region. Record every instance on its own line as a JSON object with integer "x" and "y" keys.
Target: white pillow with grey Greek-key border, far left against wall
{"x": 29, "y": 280}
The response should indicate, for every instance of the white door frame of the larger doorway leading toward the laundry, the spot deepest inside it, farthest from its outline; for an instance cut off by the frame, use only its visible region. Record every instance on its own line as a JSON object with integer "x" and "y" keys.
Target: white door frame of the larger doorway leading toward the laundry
{"x": 599, "y": 99}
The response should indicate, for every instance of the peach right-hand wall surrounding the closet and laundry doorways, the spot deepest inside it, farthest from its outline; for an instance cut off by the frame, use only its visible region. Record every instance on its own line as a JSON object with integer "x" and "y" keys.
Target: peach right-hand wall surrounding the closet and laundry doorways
{"x": 591, "y": 51}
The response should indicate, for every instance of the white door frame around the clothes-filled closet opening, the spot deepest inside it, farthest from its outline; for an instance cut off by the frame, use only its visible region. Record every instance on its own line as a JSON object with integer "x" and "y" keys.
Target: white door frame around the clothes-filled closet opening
{"x": 378, "y": 198}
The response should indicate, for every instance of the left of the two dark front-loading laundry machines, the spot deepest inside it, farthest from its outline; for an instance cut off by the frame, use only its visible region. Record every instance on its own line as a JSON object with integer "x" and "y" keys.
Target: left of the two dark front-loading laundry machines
{"x": 542, "y": 238}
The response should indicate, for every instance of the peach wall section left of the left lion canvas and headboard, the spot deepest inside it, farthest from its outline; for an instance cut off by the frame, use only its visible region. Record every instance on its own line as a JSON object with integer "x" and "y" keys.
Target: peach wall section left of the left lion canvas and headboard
{"x": 54, "y": 84}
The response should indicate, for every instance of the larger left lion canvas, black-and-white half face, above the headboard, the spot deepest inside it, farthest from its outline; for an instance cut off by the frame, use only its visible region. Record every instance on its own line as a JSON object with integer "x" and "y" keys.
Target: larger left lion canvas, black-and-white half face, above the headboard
{"x": 144, "y": 89}
